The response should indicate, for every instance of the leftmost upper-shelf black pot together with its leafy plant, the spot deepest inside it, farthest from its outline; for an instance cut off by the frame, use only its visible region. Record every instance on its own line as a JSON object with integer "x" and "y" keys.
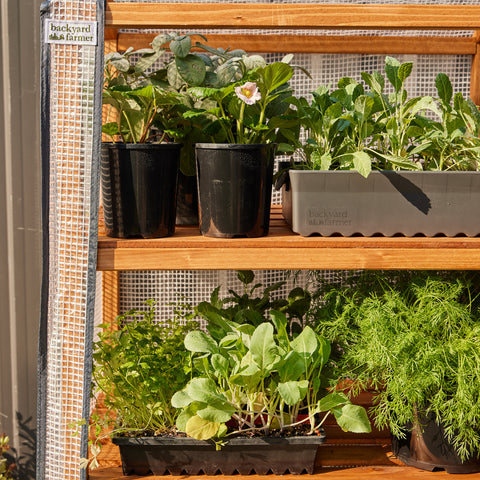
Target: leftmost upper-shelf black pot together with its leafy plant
{"x": 140, "y": 168}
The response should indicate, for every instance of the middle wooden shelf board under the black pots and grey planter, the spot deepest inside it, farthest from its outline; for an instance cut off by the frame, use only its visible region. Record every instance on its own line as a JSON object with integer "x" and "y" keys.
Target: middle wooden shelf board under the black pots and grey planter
{"x": 281, "y": 249}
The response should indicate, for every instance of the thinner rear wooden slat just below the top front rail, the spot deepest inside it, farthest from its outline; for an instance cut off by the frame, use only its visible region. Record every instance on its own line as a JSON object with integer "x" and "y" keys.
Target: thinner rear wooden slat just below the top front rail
{"x": 324, "y": 43}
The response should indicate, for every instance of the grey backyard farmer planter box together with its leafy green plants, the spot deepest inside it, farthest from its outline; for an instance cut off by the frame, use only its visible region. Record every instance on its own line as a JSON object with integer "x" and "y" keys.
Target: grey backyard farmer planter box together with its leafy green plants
{"x": 379, "y": 163}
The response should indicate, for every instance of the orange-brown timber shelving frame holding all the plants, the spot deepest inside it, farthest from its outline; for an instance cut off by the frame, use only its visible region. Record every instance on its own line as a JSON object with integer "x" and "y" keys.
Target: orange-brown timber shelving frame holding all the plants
{"x": 281, "y": 249}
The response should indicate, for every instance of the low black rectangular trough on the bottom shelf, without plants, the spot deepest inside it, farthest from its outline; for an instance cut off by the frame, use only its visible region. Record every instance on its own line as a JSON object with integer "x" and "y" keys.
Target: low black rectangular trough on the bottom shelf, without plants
{"x": 245, "y": 456}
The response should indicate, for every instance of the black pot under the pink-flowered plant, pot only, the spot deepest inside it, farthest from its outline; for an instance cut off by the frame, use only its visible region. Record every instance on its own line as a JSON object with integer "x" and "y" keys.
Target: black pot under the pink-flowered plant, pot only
{"x": 234, "y": 188}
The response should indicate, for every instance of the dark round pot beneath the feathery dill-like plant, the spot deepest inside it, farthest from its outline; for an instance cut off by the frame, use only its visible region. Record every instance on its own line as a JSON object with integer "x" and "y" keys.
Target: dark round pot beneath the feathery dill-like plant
{"x": 428, "y": 449}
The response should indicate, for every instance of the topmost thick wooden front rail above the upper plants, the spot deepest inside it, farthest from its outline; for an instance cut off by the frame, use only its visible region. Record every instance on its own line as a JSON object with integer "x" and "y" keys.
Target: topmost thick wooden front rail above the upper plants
{"x": 291, "y": 16}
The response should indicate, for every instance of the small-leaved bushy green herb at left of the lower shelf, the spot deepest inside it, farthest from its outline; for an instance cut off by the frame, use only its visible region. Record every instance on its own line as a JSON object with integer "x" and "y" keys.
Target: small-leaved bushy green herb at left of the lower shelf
{"x": 138, "y": 366}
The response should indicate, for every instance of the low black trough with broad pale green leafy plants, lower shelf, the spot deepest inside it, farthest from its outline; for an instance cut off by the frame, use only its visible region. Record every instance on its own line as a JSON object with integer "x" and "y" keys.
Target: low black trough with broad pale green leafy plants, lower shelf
{"x": 257, "y": 393}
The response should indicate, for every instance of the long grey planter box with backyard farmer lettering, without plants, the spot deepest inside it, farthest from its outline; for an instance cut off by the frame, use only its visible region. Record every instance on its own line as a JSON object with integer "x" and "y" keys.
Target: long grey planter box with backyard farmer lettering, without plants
{"x": 386, "y": 203}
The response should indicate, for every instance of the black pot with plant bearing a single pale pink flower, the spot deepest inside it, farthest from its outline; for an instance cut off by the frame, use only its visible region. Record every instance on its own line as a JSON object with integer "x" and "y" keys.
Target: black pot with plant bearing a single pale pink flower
{"x": 245, "y": 119}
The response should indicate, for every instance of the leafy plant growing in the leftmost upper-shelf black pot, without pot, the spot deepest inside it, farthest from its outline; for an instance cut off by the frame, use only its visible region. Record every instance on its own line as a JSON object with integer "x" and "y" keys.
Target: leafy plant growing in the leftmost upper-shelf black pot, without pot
{"x": 147, "y": 107}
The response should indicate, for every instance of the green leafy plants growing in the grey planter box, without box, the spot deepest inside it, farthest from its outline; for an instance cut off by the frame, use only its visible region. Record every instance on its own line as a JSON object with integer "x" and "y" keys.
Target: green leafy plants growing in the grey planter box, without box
{"x": 352, "y": 127}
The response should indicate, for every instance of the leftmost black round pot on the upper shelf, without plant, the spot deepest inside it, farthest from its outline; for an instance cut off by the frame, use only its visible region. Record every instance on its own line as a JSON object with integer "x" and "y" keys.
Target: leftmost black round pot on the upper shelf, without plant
{"x": 139, "y": 187}
